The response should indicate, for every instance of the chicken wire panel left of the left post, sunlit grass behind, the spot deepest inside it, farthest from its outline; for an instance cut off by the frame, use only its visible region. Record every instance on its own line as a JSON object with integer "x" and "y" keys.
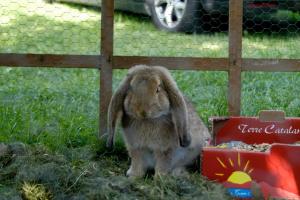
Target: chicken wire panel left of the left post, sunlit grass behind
{"x": 35, "y": 26}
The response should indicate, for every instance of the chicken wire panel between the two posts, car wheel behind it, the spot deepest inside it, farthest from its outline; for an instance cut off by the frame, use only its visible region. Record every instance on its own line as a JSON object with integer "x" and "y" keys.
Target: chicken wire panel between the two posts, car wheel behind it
{"x": 189, "y": 33}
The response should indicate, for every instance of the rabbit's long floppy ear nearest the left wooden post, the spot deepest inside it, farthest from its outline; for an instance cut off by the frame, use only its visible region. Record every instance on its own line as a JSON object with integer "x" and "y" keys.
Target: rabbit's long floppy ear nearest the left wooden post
{"x": 115, "y": 109}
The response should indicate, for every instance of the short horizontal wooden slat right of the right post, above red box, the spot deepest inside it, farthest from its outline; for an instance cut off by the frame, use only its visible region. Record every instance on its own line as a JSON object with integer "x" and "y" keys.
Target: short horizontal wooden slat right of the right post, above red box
{"x": 271, "y": 65}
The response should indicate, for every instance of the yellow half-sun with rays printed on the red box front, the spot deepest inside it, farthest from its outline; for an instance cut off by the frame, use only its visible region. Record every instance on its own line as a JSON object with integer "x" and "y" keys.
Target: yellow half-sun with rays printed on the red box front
{"x": 240, "y": 176}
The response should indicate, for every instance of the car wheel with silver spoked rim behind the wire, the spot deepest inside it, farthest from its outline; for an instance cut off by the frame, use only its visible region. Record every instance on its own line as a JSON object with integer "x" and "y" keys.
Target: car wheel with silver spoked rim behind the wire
{"x": 175, "y": 15}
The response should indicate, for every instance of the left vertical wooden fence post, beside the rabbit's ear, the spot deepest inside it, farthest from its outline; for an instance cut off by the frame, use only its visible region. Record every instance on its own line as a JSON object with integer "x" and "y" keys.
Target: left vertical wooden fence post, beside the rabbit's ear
{"x": 107, "y": 29}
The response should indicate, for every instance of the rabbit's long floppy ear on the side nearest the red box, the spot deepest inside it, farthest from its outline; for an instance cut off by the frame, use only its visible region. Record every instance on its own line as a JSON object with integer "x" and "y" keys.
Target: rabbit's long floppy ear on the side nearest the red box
{"x": 178, "y": 106}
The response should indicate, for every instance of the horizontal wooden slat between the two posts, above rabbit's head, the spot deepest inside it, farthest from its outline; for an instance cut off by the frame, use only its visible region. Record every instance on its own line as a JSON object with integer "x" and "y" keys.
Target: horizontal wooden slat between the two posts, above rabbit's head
{"x": 175, "y": 63}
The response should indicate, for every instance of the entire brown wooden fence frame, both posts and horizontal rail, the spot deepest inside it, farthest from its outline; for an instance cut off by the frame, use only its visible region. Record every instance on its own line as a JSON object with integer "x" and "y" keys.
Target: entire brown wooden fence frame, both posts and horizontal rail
{"x": 234, "y": 64}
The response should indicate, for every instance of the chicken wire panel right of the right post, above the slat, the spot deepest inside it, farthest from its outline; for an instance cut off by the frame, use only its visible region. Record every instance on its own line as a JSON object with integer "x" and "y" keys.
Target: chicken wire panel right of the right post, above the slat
{"x": 272, "y": 29}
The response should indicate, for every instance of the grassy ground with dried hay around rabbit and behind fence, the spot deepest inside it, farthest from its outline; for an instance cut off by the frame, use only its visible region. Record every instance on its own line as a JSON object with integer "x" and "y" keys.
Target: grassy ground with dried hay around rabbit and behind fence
{"x": 55, "y": 111}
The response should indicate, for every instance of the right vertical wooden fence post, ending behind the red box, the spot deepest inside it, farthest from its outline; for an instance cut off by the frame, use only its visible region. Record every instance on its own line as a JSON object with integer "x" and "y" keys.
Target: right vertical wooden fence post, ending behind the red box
{"x": 235, "y": 56}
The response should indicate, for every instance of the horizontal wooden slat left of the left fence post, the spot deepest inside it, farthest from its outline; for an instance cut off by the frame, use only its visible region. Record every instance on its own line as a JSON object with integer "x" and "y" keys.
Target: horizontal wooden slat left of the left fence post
{"x": 50, "y": 60}
